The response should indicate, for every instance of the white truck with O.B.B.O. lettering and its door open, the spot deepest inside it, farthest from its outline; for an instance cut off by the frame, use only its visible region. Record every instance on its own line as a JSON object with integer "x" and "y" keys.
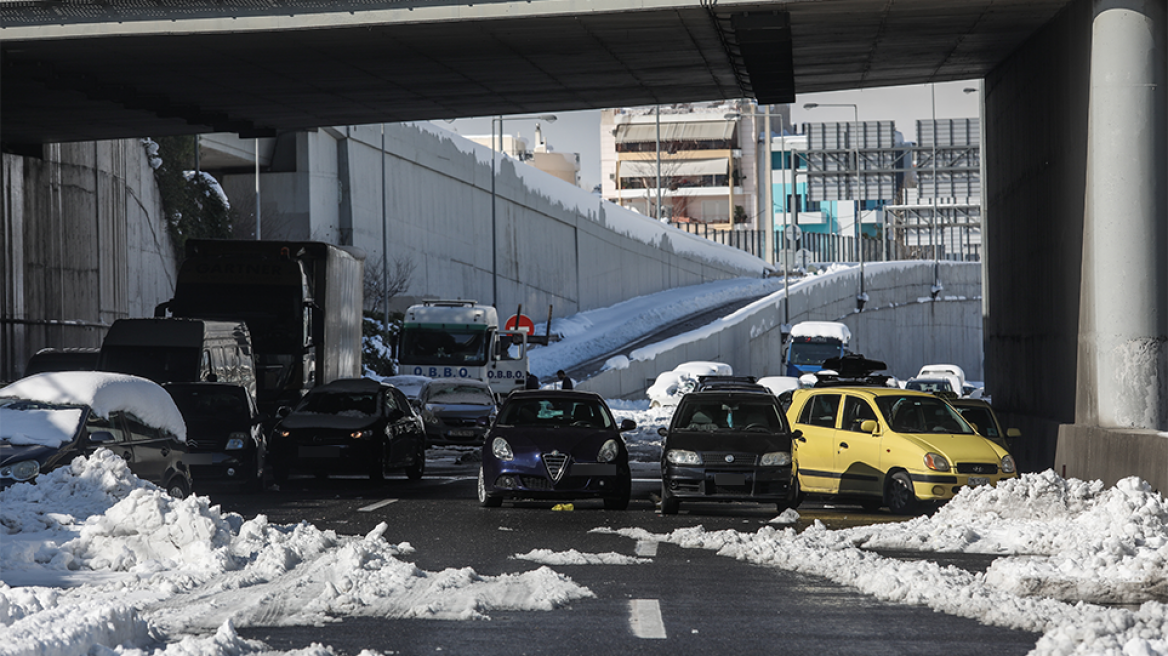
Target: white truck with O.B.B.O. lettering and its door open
{"x": 462, "y": 339}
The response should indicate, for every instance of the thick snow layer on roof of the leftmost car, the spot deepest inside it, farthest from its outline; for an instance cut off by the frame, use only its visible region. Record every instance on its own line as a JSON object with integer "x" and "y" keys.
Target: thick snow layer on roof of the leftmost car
{"x": 106, "y": 394}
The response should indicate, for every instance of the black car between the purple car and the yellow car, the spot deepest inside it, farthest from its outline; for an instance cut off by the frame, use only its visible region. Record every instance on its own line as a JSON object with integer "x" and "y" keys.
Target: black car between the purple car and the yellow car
{"x": 727, "y": 446}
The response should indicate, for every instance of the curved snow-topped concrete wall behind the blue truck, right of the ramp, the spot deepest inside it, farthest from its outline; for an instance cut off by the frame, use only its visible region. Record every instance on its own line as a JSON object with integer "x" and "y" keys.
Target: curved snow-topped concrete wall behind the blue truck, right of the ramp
{"x": 901, "y": 325}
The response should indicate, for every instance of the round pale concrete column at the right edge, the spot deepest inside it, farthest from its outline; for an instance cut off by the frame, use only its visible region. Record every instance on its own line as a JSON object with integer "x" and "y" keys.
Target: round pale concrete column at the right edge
{"x": 1124, "y": 338}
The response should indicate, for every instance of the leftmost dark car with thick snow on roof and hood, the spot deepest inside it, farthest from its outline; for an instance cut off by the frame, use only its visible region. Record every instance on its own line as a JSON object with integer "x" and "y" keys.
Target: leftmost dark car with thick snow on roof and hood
{"x": 50, "y": 420}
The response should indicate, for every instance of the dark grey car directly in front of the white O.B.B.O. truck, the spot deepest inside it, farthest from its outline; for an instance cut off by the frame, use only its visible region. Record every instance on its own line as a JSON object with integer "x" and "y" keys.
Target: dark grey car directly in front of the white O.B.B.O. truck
{"x": 456, "y": 411}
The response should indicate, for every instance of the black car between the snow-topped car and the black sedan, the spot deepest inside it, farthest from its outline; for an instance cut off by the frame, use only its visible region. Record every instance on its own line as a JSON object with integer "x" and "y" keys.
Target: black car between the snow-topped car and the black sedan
{"x": 225, "y": 436}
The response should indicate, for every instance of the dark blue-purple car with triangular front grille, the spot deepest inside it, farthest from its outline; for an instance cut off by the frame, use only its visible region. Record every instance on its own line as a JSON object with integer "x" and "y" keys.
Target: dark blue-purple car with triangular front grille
{"x": 558, "y": 446}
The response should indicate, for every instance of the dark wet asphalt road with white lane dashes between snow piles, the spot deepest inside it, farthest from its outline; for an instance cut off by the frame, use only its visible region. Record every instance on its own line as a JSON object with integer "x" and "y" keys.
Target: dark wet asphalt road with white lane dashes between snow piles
{"x": 684, "y": 602}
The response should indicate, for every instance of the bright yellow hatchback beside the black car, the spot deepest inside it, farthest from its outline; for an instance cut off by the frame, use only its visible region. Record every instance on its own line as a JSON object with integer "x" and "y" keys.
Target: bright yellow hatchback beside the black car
{"x": 884, "y": 446}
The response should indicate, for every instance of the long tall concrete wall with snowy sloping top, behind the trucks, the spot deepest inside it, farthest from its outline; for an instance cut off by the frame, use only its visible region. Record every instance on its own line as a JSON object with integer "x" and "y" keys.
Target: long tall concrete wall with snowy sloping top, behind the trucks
{"x": 557, "y": 243}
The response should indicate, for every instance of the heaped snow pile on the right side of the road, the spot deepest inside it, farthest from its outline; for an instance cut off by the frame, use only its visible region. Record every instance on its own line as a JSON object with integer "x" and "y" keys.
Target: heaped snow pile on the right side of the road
{"x": 1058, "y": 538}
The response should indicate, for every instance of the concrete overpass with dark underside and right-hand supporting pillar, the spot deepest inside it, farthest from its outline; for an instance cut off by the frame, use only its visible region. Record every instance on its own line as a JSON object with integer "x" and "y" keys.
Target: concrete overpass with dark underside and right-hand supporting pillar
{"x": 1075, "y": 108}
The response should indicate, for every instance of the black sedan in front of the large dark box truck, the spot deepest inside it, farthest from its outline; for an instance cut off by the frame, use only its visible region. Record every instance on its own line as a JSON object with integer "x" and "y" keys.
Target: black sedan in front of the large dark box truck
{"x": 350, "y": 427}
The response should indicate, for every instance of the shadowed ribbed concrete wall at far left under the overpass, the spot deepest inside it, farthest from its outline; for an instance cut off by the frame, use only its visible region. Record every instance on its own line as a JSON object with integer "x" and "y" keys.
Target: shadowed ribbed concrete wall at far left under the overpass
{"x": 82, "y": 245}
